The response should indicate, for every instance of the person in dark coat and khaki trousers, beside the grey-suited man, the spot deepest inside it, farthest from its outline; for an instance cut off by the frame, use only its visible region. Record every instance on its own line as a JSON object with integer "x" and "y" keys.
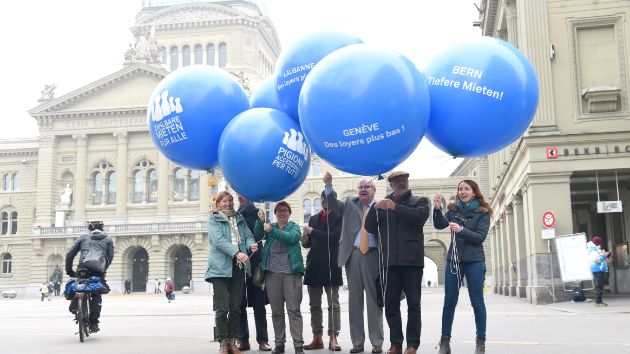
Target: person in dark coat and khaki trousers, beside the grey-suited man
{"x": 322, "y": 273}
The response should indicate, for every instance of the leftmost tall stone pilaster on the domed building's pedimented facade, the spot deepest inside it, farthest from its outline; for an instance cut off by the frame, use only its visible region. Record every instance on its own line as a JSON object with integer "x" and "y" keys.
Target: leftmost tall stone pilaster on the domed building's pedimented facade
{"x": 46, "y": 195}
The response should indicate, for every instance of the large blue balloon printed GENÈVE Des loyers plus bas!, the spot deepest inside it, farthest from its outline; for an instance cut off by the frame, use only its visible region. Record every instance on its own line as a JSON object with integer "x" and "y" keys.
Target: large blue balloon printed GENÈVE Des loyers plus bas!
{"x": 364, "y": 109}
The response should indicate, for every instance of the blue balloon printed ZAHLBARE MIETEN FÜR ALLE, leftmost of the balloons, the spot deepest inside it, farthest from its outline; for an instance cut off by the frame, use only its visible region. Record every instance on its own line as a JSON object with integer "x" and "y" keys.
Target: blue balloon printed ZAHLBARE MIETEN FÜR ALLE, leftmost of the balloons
{"x": 188, "y": 111}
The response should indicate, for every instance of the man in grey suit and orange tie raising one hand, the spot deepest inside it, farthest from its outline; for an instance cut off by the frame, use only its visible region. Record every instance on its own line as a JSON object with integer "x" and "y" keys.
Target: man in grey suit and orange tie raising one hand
{"x": 358, "y": 251}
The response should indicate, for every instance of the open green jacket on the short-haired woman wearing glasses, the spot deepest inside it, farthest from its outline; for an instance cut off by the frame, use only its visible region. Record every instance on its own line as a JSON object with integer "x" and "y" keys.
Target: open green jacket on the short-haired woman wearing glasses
{"x": 290, "y": 236}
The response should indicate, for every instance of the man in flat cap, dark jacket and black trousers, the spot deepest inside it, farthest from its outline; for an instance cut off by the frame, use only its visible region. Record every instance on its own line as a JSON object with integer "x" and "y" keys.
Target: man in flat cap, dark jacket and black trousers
{"x": 401, "y": 217}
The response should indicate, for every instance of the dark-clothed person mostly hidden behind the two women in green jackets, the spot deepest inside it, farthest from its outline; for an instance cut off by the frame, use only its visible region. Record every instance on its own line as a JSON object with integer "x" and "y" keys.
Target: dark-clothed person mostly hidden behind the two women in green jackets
{"x": 253, "y": 296}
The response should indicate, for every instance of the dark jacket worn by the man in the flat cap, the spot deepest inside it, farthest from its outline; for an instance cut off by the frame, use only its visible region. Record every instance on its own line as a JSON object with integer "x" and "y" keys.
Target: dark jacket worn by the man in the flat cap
{"x": 403, "y": 243}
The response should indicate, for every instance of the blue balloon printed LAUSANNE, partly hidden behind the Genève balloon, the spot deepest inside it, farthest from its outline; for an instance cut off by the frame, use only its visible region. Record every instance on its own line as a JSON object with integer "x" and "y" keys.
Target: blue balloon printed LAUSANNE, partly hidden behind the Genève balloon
{"x": 296, "y": 62}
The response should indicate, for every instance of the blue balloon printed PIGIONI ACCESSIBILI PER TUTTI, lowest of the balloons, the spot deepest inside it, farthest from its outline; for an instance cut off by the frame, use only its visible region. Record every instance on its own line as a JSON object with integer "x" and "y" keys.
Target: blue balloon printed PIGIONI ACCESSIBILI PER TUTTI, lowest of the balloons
{"x": 263, "y": 155}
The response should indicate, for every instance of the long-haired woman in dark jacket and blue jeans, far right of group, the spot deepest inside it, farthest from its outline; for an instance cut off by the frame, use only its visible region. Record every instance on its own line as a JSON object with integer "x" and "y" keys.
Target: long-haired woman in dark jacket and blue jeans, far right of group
{"x": 468, "y": 218}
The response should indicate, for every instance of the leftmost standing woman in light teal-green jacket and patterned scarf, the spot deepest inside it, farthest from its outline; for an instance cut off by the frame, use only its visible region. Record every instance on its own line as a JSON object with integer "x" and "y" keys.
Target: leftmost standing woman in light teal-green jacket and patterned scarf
{"x": 229, "y": 238}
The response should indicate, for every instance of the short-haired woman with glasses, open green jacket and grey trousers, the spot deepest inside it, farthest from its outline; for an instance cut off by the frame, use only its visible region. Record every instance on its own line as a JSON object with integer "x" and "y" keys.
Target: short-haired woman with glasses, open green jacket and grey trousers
{"x": 284, "y": 267}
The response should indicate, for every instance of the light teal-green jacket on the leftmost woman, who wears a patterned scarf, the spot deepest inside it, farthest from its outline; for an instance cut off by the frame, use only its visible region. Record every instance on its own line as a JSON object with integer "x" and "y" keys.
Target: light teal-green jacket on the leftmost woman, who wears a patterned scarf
{"x": 222, "y": 251}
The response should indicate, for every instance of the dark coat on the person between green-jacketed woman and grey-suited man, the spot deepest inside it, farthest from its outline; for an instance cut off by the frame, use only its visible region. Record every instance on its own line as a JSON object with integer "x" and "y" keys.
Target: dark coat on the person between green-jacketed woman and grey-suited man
{"x": 323, "y": 240}
